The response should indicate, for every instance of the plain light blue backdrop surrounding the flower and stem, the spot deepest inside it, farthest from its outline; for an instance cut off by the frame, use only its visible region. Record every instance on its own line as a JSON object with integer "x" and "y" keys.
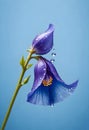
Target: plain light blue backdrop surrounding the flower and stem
{"x": 20, "y": 22}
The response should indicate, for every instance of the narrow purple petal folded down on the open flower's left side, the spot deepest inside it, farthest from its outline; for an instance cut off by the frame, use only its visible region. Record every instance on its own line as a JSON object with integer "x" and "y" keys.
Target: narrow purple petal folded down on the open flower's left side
{"x": 39, "y": 73}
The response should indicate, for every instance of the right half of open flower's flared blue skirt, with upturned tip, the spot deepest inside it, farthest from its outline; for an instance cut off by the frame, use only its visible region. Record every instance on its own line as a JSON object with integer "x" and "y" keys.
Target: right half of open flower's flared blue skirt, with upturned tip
{"x": 59, "y": 92}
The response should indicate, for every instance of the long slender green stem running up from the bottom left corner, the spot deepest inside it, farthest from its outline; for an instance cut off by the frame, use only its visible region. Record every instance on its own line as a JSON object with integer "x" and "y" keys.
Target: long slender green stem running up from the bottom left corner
{"x": 15, "y": 92}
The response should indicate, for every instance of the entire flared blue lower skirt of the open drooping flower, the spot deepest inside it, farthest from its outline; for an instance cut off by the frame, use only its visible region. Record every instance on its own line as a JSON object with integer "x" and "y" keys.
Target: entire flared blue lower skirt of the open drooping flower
{"x": 50, "y": 95}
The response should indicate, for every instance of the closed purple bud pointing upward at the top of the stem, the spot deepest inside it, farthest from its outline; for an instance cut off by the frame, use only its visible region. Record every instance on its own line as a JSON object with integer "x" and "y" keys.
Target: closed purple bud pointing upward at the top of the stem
{"x": 43, "y": 43}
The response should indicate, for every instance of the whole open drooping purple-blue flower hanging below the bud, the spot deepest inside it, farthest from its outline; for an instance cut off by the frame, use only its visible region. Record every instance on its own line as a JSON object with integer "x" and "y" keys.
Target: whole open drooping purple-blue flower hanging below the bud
{"x": 48, "y": 88}
